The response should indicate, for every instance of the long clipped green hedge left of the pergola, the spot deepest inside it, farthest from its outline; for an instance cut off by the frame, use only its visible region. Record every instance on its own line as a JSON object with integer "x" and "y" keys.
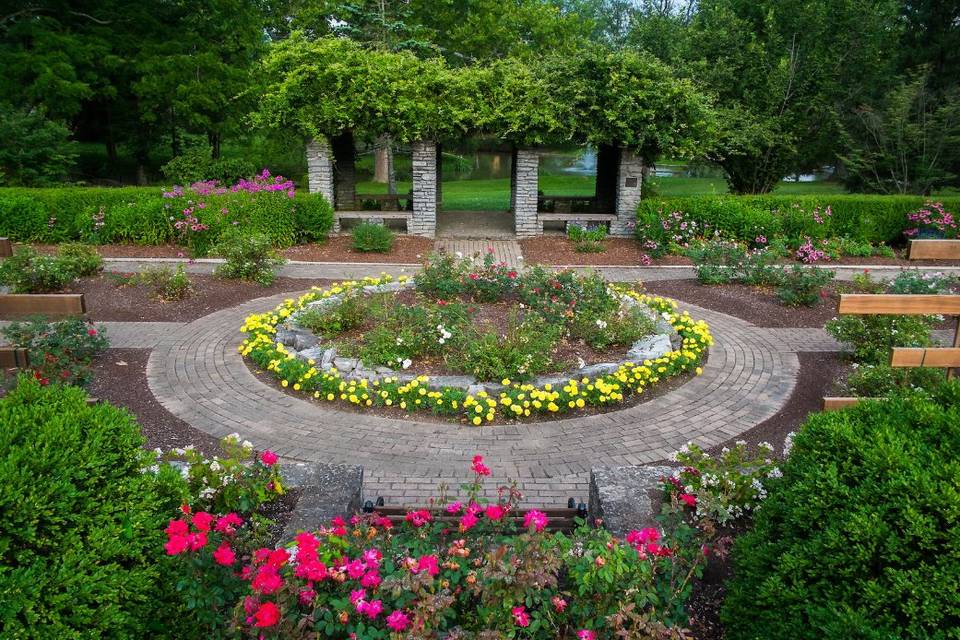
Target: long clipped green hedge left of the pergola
{"x": 141, "y": 215}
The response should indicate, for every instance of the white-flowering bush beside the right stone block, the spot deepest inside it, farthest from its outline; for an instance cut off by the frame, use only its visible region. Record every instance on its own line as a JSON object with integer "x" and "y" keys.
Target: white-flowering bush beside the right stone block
{"x": 723, "y": 488}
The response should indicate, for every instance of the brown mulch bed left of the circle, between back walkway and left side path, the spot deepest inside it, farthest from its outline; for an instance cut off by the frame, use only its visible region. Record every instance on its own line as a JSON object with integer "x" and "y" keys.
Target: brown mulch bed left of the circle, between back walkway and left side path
{"x": 106, "y": 300}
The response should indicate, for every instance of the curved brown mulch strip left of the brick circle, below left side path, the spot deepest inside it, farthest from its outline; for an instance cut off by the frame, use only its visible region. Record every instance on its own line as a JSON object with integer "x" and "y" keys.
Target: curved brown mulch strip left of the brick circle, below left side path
{"x": 120, "y": 377}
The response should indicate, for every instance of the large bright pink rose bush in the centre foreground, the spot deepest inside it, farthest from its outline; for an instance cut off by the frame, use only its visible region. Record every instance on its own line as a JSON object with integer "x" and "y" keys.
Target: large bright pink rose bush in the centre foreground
{"x": 467, "y": 566}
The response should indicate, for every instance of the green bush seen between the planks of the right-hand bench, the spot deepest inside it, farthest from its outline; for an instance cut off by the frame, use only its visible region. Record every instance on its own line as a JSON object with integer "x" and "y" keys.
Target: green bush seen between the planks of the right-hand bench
{"x": 872, "y": 338}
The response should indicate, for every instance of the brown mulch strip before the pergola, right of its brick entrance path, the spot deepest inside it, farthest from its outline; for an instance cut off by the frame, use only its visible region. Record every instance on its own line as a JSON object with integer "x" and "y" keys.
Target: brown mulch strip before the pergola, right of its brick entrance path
{"x": 622, "y": 252}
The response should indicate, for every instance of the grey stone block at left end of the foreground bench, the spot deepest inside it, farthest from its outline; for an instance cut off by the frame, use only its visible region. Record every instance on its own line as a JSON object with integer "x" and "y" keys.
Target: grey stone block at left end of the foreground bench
{"x": 327, "y": 491}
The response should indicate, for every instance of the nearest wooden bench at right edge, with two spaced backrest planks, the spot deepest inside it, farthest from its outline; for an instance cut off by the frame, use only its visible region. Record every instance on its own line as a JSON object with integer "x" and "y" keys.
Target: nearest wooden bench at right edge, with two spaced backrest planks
{"x": 905, "y": 304}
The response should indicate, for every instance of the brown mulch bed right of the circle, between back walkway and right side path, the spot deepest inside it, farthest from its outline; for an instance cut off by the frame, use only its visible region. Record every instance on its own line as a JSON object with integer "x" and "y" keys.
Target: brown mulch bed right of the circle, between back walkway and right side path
{"x": 758, "y": 305}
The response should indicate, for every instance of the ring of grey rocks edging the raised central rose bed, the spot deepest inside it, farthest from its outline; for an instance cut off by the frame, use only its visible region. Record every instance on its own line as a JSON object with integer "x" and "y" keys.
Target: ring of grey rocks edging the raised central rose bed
{"x": 305, "y": 345}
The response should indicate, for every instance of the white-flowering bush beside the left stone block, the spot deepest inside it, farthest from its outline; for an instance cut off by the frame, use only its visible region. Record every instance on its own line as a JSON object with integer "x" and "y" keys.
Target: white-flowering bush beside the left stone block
{"x": 239, "y": 481}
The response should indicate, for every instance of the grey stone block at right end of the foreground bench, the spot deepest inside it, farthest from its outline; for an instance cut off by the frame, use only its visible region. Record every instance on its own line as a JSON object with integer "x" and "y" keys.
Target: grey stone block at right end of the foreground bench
{"x": 626, "y": 498}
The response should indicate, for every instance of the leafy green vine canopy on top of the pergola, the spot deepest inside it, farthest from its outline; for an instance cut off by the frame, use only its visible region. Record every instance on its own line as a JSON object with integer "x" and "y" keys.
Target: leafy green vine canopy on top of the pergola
{"x": 327, "y": 86}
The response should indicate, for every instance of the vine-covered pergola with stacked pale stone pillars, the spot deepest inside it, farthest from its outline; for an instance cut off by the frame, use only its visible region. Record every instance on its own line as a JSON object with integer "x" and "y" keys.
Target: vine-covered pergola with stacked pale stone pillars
{"x": 628, "y": 105}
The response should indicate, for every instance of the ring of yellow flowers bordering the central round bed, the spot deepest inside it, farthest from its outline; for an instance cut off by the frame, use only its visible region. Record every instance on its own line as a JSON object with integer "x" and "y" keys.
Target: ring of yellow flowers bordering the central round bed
{"x": 516, "y": 402}
